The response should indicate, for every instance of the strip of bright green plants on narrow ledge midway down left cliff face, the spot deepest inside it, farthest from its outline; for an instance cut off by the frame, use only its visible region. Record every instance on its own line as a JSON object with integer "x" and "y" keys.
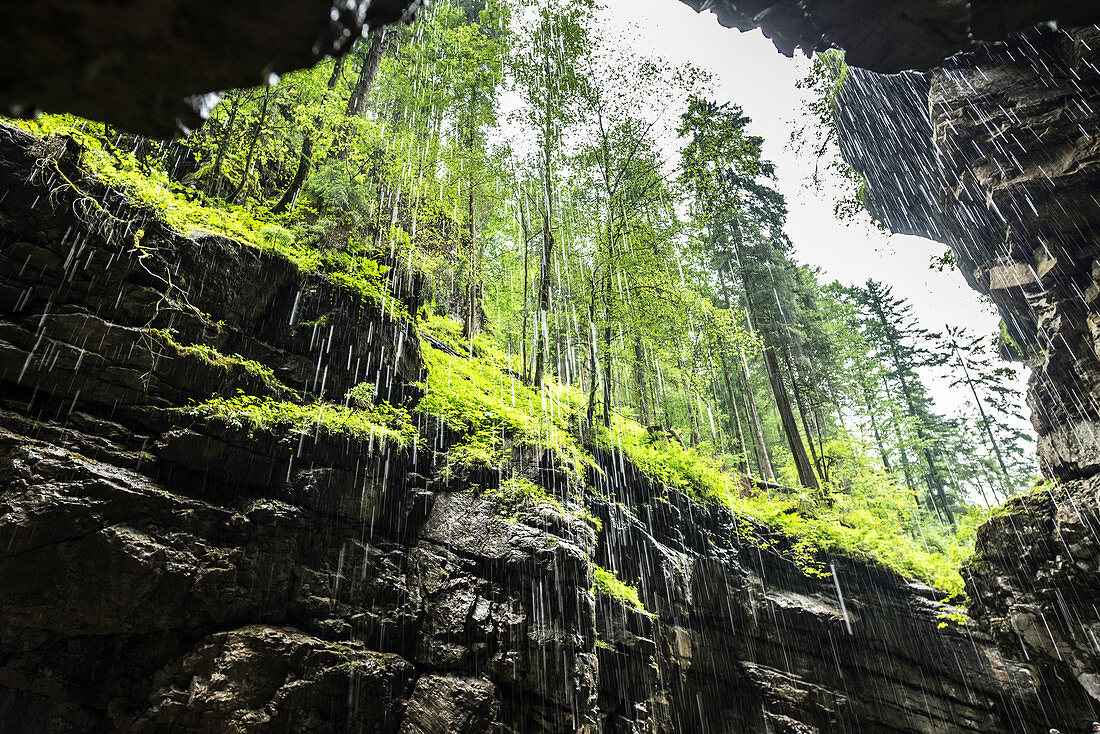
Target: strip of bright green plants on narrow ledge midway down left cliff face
{"x": 382, "y": 423}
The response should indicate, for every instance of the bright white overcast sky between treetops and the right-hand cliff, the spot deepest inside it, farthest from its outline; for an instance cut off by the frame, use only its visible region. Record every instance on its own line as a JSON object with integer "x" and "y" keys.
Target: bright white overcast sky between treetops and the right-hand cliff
{"x": 750, "y": 72}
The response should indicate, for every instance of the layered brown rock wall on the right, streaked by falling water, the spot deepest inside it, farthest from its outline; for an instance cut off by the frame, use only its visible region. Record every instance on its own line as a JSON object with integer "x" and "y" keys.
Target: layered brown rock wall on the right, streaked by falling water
{"x": 997, "y": 156}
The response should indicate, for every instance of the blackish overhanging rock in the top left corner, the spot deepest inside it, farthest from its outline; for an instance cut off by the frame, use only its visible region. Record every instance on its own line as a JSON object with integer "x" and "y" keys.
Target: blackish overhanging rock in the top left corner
{"x": 147, "y": 67}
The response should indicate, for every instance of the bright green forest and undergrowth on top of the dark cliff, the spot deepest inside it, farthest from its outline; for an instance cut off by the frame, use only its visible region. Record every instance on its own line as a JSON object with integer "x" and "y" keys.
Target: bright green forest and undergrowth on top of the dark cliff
{"x": 598, "y": 260}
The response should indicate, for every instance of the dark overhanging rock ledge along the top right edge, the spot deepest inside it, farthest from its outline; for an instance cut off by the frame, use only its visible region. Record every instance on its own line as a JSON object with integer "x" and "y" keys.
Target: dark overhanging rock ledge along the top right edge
{"x": 895, "y": 36}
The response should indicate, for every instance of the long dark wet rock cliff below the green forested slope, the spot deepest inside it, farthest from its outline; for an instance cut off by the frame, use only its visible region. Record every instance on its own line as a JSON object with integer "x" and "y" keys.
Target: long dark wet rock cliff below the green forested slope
{"x": 164, "y": 572}
